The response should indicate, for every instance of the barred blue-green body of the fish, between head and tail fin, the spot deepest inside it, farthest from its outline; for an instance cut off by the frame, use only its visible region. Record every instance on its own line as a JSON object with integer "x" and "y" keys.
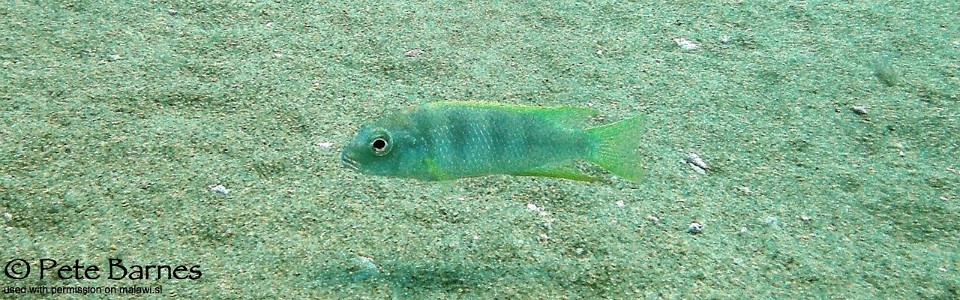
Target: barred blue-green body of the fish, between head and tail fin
{"x": 468, "y": 142}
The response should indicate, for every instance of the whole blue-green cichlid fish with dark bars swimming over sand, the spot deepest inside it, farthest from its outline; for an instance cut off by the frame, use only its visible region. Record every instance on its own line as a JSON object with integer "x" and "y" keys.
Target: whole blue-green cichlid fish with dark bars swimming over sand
{"x": 450, "y": 140}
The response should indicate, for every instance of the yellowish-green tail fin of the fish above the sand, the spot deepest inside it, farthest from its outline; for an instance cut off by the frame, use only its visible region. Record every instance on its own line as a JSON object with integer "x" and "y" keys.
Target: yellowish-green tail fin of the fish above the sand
{"x": 616, "y": 147}
